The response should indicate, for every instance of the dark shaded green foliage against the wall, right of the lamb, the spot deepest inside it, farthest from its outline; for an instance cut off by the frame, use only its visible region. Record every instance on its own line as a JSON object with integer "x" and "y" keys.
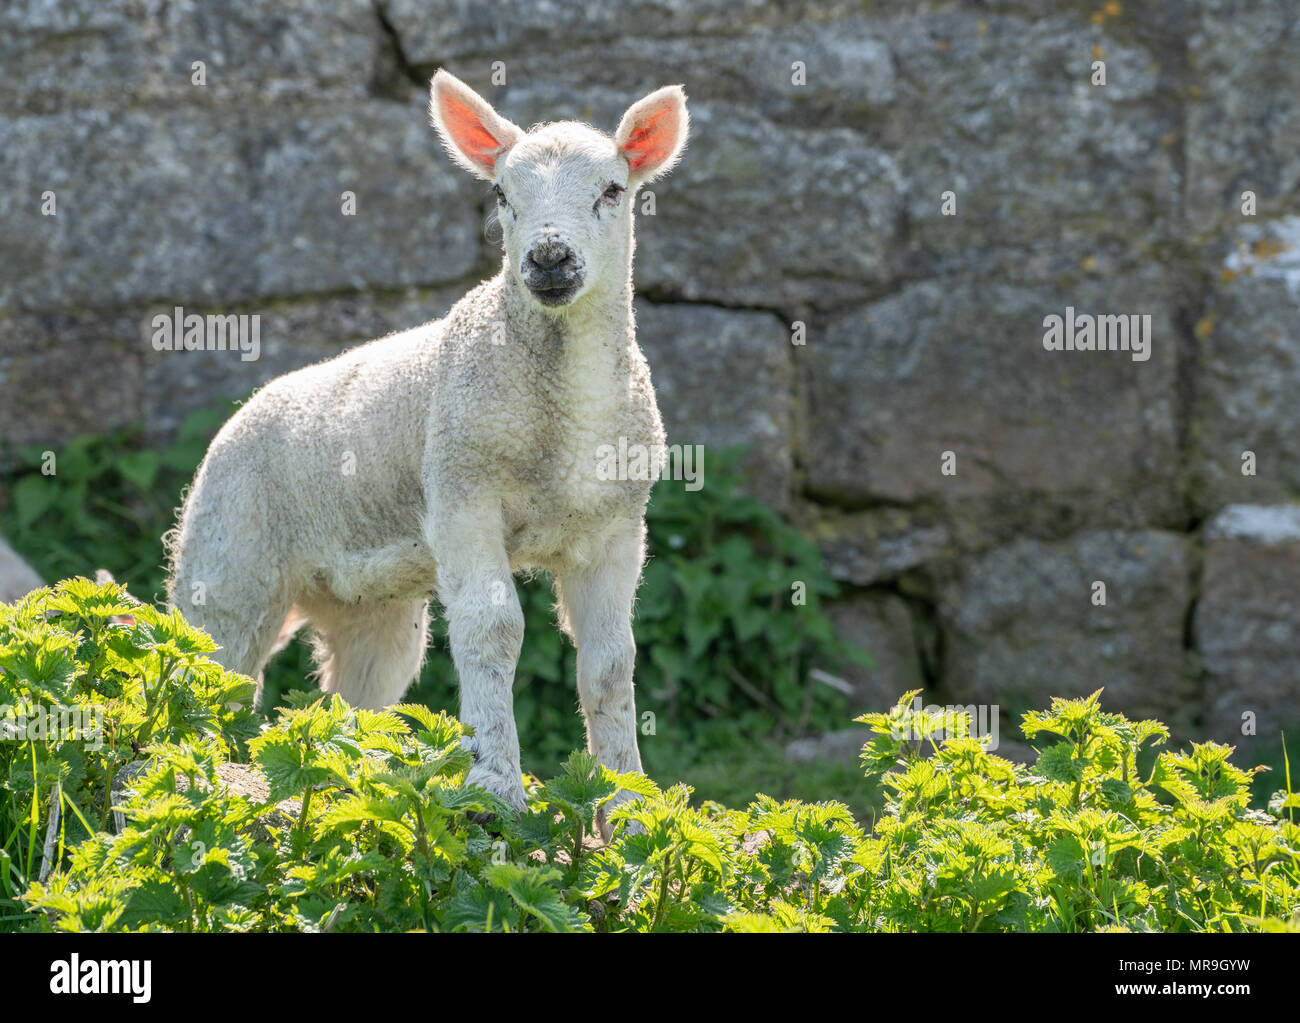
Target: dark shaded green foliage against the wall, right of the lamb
{"x": 722, "y": 578}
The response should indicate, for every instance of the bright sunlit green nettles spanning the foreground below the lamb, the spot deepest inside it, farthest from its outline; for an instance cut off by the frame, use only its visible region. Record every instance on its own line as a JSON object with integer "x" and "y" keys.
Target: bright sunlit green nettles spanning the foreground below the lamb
{"x": 362, "y": 821}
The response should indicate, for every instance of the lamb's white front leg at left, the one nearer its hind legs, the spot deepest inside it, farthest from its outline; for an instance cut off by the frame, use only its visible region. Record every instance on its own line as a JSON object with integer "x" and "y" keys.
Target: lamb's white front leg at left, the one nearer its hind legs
{"x": 487, "y": 631}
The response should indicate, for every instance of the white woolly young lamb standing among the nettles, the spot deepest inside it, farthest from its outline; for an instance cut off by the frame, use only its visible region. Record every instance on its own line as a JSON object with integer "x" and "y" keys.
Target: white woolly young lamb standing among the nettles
{"x": 444, "y": 460}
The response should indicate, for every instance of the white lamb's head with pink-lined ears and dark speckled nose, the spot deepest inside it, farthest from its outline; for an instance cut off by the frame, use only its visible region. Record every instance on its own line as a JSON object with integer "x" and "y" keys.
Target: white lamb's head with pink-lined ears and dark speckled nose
{"x": 565, "y": 192}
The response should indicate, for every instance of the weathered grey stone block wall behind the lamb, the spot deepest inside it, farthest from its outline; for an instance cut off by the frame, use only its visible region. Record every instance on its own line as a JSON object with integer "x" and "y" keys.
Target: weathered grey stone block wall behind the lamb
{"x": 818, "y": 203}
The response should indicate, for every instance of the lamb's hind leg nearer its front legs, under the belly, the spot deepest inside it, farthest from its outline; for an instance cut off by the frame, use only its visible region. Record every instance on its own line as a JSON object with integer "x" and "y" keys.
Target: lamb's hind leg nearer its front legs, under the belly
{"x": 370, "y": 653}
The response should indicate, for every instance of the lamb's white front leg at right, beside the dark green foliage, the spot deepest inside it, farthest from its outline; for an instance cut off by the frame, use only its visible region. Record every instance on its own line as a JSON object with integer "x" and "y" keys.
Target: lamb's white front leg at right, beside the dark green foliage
{"x": 597, "y": 602}
